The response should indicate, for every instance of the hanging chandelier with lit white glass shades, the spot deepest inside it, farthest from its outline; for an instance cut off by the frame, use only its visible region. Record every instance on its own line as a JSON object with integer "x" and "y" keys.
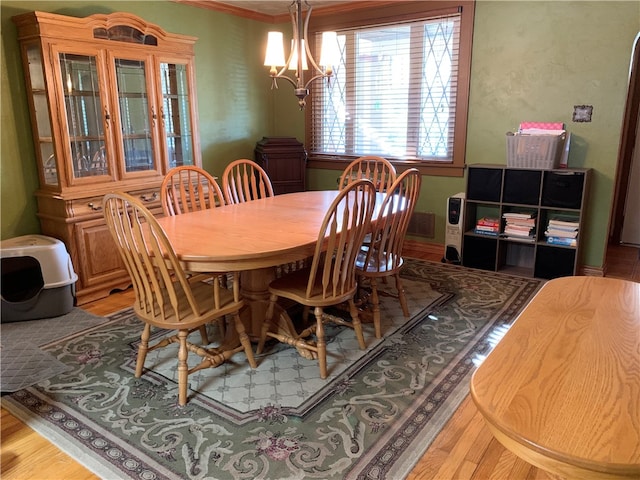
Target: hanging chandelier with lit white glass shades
{"x": 274, "y": 57}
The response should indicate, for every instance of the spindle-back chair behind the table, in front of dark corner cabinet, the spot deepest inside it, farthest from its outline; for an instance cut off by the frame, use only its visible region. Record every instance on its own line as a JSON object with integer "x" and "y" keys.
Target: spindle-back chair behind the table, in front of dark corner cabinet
{"x": 244, "y": 180}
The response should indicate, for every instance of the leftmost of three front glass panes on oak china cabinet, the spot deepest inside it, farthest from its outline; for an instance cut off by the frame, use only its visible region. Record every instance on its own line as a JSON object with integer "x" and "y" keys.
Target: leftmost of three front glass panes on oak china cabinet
{"x": 84, "y": 115}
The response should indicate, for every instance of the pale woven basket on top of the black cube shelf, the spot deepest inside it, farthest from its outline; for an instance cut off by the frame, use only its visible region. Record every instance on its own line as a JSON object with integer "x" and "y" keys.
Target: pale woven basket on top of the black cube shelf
{"x": 534, "y": 151}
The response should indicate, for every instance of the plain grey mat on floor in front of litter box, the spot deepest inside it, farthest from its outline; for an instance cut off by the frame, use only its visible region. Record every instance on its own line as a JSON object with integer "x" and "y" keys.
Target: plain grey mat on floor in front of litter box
{"x": 23, "y": 361}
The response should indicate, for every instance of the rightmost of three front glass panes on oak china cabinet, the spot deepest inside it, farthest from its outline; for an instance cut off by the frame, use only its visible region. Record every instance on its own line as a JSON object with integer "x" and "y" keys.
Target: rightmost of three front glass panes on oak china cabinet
{"x": 176, "y": 114}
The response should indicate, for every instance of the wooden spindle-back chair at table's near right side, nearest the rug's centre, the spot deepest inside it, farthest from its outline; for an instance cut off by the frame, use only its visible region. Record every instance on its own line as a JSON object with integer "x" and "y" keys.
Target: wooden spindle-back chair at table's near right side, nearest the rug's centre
{"x": 330, "y": 278}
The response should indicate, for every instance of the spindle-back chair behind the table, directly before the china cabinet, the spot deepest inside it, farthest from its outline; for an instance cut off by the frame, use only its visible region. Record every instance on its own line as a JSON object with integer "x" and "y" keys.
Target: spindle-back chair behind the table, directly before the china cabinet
{"x": 189, "y": 188}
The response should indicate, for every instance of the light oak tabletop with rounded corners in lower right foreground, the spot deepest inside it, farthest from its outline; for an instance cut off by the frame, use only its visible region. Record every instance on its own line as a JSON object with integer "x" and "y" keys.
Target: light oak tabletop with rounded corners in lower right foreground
{"x": 562, "y": 388}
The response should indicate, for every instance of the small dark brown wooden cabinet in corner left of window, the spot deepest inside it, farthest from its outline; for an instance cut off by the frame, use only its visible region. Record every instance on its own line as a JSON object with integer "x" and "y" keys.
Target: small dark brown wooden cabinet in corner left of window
{"x": 285, "y": 160}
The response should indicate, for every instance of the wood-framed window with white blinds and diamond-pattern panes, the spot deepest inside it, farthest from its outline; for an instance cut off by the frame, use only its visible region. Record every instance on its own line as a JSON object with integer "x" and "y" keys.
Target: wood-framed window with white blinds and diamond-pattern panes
{"x": 400, "y": 90}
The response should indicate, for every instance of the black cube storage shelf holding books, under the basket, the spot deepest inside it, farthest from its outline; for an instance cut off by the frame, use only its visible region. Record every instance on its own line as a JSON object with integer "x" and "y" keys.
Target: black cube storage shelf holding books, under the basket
{"x": 493, "y": 190}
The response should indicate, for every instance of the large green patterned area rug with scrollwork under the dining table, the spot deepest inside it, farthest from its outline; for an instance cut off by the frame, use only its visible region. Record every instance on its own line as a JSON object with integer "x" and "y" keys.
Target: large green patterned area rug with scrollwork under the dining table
{"x": 373, "y": 418}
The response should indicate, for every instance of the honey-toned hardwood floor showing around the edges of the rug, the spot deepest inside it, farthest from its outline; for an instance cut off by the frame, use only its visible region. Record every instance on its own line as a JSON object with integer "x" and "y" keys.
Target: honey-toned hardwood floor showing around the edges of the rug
{"x": 464, "y": 449}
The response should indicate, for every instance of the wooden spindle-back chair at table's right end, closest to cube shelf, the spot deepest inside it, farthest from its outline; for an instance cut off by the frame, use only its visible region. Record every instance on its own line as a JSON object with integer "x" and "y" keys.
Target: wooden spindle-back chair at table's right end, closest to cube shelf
{"x": 383, "y": 257}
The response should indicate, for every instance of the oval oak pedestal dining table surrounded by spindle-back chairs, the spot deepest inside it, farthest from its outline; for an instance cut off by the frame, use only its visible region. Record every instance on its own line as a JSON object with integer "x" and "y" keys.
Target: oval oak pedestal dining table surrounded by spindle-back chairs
{"x": 253, "y": 238}
